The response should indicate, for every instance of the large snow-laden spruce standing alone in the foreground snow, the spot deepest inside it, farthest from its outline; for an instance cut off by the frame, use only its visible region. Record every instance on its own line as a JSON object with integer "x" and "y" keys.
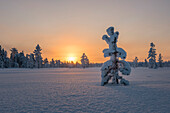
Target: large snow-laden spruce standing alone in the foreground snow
{"x": 111, "y": 67}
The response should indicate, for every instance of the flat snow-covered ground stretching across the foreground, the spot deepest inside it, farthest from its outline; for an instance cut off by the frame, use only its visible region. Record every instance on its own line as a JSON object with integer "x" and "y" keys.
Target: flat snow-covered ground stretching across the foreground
{"x": 79, "y": 90}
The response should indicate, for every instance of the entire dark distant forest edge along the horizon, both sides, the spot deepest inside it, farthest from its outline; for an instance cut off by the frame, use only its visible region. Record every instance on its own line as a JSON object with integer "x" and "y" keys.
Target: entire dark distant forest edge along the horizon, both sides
{"x": 35, "y": 60}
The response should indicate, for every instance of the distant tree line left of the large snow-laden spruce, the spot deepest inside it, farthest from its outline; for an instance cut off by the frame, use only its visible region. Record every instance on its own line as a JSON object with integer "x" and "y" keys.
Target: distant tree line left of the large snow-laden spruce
{"x": 35, "y": 60}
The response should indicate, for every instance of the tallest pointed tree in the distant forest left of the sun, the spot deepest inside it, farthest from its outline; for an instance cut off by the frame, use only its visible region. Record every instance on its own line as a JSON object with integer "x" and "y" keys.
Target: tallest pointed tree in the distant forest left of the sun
{"x": 38, "y": 58}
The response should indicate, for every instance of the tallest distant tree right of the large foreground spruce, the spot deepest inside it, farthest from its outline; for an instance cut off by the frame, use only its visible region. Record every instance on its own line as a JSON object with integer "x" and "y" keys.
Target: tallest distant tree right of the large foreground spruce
{"x": 152, "y": 56}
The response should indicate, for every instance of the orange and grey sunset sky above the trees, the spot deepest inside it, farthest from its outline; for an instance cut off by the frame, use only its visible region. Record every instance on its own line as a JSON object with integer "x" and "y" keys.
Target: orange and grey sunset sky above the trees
{"x": 69, "y": 28}
